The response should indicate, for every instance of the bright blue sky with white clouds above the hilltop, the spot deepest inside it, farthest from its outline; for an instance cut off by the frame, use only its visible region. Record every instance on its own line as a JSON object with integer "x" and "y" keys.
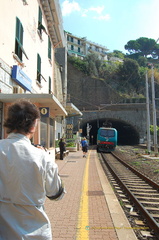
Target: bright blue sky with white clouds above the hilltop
{"x": 111, "y": 23}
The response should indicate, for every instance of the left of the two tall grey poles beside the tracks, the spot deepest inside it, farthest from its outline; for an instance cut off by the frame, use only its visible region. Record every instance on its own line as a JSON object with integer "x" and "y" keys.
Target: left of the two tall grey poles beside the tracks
{"x": 148, "y": 116}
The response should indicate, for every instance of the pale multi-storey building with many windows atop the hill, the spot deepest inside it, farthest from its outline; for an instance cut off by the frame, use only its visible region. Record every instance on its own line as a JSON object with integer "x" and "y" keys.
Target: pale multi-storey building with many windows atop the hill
{"x": 80, "y": 47}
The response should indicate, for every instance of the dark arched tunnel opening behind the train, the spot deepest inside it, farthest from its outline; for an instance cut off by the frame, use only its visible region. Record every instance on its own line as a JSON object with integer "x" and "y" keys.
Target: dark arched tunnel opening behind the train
{"x": 127, "y": 134}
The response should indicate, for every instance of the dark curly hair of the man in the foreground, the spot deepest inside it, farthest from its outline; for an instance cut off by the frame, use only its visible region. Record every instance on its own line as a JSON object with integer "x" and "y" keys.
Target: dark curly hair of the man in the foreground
{"x": 21, "y": 116}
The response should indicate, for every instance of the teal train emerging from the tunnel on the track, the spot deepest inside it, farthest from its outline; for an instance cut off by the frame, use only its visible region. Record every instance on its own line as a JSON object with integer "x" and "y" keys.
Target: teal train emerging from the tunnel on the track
{"x": 106, "y": 139}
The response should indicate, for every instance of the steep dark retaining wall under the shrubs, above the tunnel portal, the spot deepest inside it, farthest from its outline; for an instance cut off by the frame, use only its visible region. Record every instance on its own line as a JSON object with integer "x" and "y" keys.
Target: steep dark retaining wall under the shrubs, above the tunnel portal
{"x": 88, "y": 93}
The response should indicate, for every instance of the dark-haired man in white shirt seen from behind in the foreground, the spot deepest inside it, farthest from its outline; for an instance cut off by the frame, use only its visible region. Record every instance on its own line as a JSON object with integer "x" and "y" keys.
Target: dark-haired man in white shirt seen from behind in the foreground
{"x": 27, "y": 176}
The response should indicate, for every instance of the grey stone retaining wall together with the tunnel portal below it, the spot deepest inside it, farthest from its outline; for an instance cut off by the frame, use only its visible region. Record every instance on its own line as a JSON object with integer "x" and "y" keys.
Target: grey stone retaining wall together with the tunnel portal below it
{"x": 88, "y": 94}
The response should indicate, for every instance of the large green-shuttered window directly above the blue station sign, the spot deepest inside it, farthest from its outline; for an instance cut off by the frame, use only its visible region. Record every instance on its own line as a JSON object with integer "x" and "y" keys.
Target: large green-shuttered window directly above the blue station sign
{"x": 19, "y": 50}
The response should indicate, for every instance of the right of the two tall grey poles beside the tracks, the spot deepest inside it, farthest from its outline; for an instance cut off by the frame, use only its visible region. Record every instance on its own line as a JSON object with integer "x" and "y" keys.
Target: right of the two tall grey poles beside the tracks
{"x": 154, "y": 110}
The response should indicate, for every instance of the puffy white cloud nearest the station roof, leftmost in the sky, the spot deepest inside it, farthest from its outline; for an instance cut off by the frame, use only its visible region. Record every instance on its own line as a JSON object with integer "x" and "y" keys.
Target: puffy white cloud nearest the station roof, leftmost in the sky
{"x": 69, "y": 7}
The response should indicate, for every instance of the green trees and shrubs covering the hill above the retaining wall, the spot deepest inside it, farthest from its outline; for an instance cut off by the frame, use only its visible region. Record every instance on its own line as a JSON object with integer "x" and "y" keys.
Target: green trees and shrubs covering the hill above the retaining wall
{"x": 126, "y": 73}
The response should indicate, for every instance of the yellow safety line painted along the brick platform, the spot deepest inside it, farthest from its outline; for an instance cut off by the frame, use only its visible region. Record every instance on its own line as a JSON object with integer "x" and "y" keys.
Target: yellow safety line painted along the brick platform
{"x": 83, "y": 214}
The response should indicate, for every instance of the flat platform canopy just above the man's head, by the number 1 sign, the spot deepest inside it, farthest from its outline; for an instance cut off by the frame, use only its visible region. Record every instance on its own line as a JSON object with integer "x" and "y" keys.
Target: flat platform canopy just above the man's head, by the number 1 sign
{"x": 45, "y": 100}
